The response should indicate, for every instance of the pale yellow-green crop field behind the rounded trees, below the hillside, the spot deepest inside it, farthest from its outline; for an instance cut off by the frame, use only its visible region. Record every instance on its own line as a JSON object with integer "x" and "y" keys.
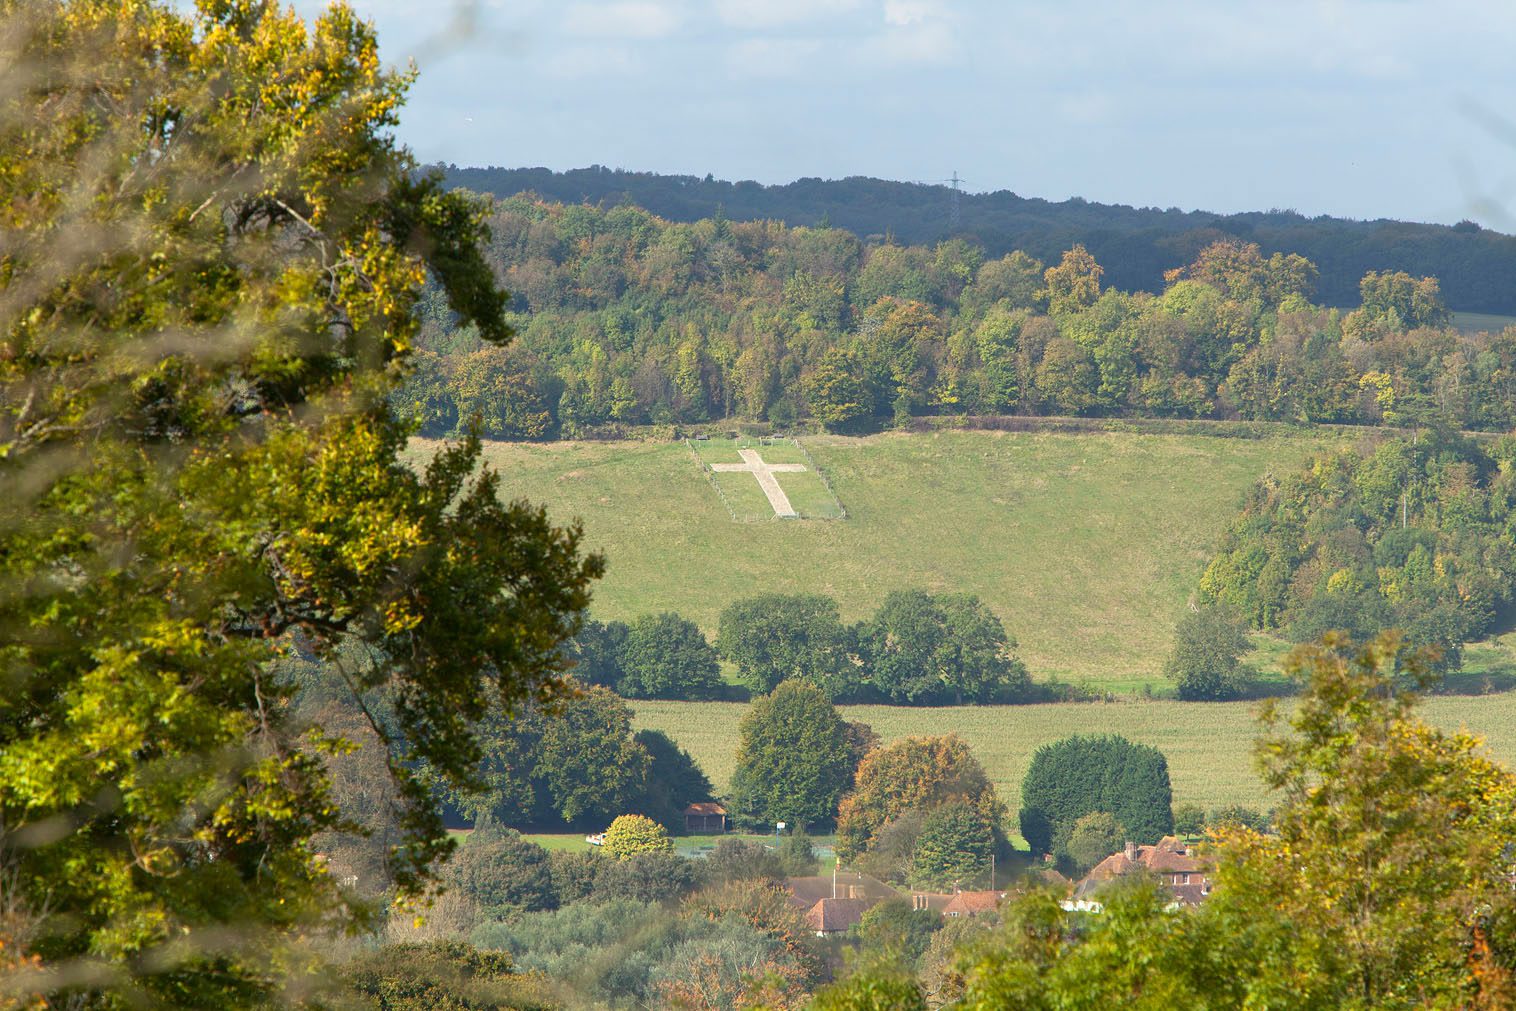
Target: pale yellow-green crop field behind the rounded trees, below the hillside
{"x": 1209, "y": 745}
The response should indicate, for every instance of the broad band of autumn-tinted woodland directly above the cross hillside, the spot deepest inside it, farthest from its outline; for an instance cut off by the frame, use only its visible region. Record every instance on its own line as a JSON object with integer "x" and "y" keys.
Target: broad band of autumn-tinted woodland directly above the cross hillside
{"x": 627, "y": 319}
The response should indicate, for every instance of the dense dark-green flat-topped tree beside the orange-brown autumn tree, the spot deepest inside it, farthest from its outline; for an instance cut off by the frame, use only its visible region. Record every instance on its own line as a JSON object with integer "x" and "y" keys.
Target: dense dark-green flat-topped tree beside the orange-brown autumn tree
{"x": 1080, "y": 775}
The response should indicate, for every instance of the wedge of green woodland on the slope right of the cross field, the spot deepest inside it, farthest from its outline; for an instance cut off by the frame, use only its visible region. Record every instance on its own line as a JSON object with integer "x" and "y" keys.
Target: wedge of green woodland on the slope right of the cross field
{"x": 1414, "y": 533}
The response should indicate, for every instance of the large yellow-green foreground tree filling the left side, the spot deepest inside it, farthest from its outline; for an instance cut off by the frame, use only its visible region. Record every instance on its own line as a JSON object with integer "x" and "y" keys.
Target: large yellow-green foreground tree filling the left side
{"x": 215, "y": 251}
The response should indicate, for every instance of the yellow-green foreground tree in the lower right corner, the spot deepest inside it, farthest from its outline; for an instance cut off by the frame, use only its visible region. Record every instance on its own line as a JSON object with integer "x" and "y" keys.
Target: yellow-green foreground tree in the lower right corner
{"x": 1388, "y": 880}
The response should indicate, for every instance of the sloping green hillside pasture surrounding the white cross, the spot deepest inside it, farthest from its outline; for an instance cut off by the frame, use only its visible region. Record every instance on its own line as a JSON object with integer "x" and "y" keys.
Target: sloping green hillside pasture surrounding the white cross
{"x": 1086, "y": 546}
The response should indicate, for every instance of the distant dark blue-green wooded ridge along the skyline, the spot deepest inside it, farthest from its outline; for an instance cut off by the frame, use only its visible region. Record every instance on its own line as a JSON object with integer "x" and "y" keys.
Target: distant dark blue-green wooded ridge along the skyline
{"x": 1136, "y": 245}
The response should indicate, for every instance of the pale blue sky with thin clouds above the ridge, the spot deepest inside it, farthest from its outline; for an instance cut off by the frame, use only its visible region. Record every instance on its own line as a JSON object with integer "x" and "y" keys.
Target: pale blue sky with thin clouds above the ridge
{"x": 1355, "y": 108}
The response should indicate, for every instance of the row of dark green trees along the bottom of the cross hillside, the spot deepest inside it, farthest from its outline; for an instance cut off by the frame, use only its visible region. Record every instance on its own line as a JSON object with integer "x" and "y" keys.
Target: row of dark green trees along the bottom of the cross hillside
{"x": 918, "y": 649}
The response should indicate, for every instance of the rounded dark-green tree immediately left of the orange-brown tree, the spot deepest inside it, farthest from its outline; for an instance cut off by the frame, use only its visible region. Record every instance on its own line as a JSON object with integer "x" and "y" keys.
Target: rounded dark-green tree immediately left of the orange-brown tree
{"x": 794, "y": 762}
